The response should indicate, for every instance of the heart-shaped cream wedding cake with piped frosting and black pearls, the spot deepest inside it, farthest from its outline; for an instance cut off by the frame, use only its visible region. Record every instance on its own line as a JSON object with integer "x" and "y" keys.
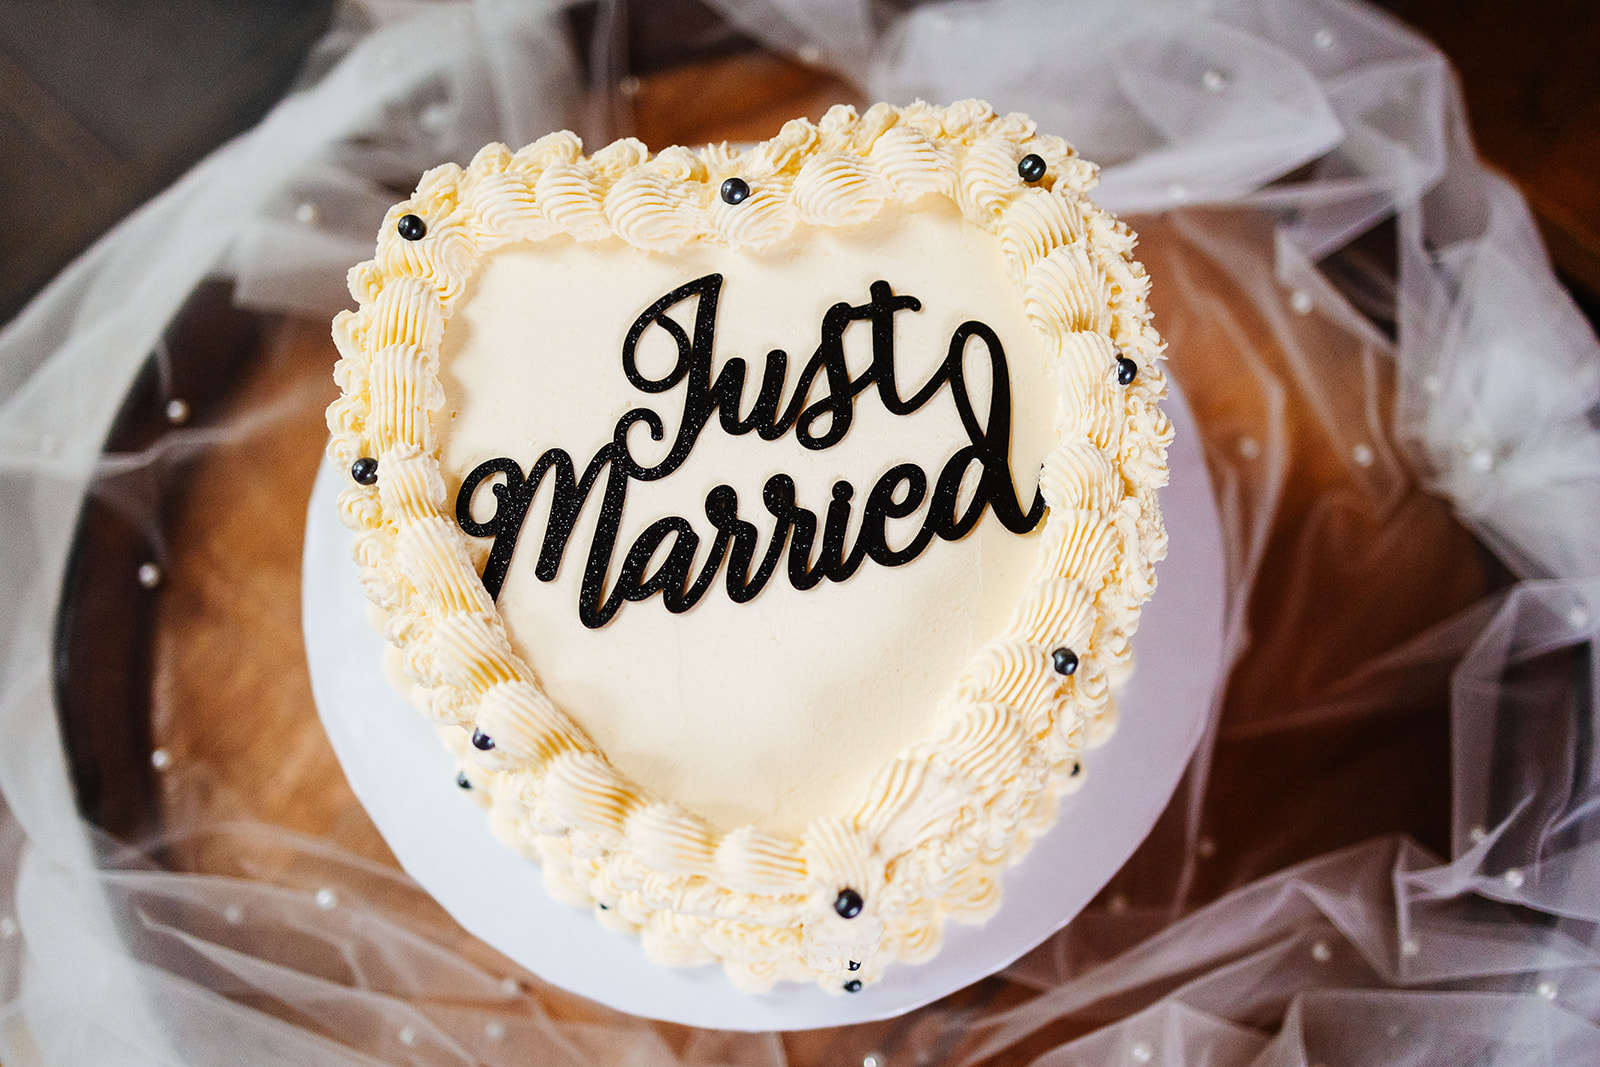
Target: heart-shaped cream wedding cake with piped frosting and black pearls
{"x": 764, "y": 529}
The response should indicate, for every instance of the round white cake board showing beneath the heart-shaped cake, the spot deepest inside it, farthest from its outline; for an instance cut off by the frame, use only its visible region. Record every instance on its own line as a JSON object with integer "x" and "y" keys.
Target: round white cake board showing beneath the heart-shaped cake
{"x": 404, "y": 777}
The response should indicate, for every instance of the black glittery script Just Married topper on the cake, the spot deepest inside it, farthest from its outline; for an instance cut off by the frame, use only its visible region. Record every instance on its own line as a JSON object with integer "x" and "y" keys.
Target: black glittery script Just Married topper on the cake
{"x": 810, "y": 548}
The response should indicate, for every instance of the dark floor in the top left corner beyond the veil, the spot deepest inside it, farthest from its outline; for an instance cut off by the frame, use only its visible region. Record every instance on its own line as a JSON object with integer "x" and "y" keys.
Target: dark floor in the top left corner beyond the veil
{"x": 103, "y": 103}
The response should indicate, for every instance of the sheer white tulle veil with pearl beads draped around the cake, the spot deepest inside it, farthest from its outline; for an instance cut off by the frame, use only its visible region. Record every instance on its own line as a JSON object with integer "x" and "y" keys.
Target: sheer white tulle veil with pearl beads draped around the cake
{"x": 1366, "y": 321}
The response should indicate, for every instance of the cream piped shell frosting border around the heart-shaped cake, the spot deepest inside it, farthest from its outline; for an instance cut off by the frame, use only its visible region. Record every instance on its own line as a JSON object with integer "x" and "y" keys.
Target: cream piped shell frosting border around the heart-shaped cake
{"x": 948, "y": 815}
